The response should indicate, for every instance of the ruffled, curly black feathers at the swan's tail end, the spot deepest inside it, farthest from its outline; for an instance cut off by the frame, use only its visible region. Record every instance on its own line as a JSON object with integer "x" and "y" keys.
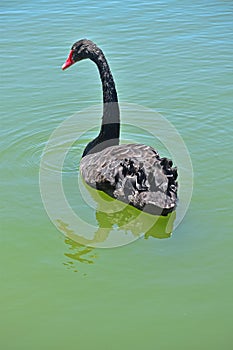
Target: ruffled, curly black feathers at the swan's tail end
{"x": 153, "y": 190}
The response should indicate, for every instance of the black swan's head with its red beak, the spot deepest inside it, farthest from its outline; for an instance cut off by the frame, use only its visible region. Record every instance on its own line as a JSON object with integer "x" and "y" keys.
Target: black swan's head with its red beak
{"x": 80, "y": 50}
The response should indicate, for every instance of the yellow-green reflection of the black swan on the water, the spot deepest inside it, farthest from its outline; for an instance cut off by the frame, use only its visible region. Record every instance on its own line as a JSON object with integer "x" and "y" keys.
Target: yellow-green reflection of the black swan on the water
{"x": 113, "y": 218}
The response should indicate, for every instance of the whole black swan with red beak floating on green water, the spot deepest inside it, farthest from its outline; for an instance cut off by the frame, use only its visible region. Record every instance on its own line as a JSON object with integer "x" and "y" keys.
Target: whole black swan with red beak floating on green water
{"x": 132, "y": 173}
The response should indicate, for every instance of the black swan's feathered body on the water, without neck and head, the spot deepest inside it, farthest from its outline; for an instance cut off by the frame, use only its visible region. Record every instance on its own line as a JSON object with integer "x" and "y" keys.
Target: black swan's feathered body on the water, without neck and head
{"x": 135, "y": 174}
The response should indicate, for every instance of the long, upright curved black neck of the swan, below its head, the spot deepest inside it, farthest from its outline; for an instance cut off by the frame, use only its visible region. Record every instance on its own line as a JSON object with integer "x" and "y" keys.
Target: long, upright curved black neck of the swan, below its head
{"x": 110, "y": 127}
